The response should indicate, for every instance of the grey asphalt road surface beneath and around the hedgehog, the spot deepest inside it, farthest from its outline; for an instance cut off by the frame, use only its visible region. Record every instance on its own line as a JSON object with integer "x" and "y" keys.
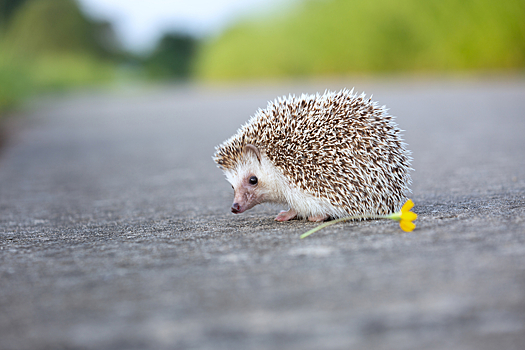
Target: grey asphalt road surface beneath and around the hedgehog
{"x": 115, "y": 230}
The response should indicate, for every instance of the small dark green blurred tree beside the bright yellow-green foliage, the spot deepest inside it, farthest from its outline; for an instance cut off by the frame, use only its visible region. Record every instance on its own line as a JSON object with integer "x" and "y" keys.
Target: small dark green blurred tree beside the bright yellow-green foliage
{"x": 172, "y": 58}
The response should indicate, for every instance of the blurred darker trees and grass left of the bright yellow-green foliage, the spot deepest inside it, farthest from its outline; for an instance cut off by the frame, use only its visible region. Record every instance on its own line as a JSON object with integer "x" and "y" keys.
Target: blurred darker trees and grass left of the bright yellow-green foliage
{"x": 50, "y": 45}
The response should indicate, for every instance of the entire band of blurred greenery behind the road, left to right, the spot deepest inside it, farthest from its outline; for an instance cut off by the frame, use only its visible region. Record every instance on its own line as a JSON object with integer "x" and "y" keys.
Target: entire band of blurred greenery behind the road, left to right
{"x": 51, "y": 45}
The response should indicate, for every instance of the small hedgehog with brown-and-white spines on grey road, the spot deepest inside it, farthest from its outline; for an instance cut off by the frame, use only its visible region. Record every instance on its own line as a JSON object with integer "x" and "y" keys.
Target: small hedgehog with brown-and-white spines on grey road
{"x": 324, "y": 156}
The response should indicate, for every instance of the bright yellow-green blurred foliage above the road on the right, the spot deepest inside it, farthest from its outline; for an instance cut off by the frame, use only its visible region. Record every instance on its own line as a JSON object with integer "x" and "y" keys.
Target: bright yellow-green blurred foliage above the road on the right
{"x": 340, "y": 37}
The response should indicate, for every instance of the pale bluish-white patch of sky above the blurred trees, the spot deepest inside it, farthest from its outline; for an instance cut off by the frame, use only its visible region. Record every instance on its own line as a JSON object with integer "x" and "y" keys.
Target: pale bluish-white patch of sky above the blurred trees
{"x": 140, "y": 23}
